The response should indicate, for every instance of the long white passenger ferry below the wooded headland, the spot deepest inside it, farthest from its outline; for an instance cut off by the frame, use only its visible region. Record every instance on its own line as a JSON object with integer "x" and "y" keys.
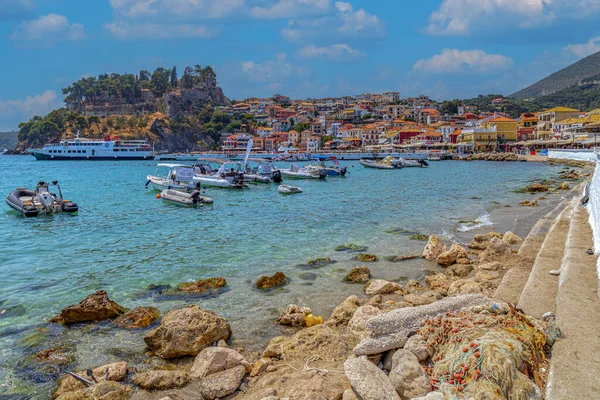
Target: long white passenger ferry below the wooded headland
{"x": 95, "y": 149}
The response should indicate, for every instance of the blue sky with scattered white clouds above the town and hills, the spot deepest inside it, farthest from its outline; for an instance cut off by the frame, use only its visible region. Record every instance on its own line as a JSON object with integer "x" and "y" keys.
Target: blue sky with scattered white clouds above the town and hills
{"x": 302, "y": 48}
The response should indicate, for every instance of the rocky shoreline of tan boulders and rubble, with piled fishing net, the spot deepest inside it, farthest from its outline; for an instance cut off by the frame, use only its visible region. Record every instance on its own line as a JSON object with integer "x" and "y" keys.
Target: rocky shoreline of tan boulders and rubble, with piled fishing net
{"x": 439, "y": 339}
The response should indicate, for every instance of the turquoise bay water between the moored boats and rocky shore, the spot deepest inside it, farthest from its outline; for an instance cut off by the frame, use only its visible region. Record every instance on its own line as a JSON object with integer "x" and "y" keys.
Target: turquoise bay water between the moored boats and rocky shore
{"x": 124, "y": 239}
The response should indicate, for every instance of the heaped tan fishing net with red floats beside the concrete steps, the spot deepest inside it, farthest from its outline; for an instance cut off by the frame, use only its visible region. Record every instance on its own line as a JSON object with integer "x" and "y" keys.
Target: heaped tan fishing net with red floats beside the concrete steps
{"x": 488, "y": 355}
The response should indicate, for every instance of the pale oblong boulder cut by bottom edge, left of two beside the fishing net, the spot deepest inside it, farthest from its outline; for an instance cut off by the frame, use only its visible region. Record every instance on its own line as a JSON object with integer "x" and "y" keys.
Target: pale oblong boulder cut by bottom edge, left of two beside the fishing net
{"x": 368, "y": 381}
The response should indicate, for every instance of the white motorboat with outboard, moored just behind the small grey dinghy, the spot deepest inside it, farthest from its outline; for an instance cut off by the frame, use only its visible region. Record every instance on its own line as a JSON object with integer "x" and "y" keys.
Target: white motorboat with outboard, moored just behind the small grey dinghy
{"x": 229, "y": 174}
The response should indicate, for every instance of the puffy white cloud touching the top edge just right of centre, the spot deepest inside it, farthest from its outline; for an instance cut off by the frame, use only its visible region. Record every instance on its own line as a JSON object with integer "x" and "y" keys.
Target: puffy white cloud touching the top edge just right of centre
{"x": 345, "y": 23}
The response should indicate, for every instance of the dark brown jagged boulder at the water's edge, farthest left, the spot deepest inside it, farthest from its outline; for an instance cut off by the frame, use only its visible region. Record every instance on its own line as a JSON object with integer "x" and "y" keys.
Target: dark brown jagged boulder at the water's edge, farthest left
{"x": 95, "y": 307}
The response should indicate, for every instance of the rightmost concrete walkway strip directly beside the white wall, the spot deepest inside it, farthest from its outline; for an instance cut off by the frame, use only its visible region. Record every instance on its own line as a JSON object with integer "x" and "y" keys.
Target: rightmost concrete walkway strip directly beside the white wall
{"x": 575, "y": 363}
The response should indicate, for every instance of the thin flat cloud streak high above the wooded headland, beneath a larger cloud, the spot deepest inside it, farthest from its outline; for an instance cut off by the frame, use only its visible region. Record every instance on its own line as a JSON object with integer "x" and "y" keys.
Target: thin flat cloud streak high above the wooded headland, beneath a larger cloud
{"x": 157, "y": 31}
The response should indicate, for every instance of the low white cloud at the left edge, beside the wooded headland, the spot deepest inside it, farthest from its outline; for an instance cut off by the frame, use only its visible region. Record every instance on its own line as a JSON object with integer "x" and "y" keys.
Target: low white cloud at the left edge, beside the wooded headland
{"x": 12, "y": 112}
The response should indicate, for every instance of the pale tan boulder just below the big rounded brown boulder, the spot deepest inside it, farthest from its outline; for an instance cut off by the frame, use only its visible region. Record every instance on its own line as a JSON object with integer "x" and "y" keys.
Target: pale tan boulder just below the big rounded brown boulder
{"x": 216, "y": 359}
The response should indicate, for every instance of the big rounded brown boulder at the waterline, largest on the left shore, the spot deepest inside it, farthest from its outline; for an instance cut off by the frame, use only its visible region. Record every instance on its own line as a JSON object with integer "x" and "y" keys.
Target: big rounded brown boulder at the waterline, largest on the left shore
{"x": 186, "y": 331}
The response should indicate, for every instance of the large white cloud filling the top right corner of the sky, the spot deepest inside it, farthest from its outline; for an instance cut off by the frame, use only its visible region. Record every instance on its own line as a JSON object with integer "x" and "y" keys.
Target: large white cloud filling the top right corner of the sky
{"x": 461, "y": 17}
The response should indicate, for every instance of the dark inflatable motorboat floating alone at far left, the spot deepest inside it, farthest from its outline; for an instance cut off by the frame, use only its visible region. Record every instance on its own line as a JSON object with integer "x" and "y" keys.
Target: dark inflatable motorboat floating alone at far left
{"x": 32, "y": 203}
